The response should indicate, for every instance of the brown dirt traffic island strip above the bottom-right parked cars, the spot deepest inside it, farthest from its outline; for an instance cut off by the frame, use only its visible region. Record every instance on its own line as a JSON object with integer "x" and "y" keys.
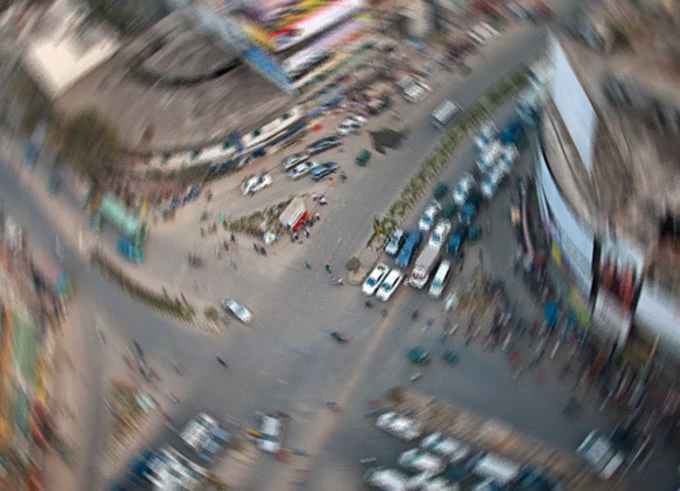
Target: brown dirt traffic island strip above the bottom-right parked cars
{"x": 494, "y": 436}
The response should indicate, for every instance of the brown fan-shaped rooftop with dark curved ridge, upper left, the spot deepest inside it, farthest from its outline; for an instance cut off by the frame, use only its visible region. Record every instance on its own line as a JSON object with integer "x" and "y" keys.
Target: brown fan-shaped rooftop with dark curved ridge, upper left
{"x": 173, "y": 89}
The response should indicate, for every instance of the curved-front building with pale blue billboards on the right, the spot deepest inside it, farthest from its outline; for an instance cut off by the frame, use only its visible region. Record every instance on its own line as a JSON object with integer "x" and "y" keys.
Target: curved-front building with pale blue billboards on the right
{"x": 607, "y": 177}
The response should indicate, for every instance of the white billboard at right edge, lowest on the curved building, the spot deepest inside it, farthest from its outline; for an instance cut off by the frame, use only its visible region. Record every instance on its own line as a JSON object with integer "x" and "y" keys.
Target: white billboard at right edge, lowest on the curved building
{"x": 658, "y": 313}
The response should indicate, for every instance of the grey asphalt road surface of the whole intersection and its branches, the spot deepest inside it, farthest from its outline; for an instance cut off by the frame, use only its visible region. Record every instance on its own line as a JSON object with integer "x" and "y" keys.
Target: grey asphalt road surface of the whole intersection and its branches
{"x": 286, "y": 360}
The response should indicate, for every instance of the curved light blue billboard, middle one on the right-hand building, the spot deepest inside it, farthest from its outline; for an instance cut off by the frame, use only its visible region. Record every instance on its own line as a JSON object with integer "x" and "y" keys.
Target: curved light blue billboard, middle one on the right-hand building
{"x": 575, "y": 242}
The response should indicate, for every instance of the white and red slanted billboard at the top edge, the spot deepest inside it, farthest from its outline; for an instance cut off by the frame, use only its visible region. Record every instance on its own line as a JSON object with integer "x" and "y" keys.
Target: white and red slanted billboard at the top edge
{"x": 315, "y": 23}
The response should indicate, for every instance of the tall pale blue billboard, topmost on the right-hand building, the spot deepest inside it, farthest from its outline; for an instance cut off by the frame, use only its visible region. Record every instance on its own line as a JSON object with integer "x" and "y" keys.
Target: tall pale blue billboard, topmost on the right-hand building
{"x": 573, "y": 105}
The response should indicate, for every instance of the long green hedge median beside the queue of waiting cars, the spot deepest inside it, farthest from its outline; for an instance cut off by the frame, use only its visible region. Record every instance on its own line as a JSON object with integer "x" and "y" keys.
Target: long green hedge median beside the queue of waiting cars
{"x": 433, "y": 164}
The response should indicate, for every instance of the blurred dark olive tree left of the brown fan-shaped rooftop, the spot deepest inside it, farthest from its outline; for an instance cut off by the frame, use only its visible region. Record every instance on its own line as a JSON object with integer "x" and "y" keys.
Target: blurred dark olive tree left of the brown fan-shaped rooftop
{"x": 88, "y": 143}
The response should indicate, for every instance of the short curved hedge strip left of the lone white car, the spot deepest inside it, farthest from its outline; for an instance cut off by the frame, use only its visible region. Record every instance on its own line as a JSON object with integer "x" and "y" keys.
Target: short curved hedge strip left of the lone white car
{"x": 149, "y": 298}
